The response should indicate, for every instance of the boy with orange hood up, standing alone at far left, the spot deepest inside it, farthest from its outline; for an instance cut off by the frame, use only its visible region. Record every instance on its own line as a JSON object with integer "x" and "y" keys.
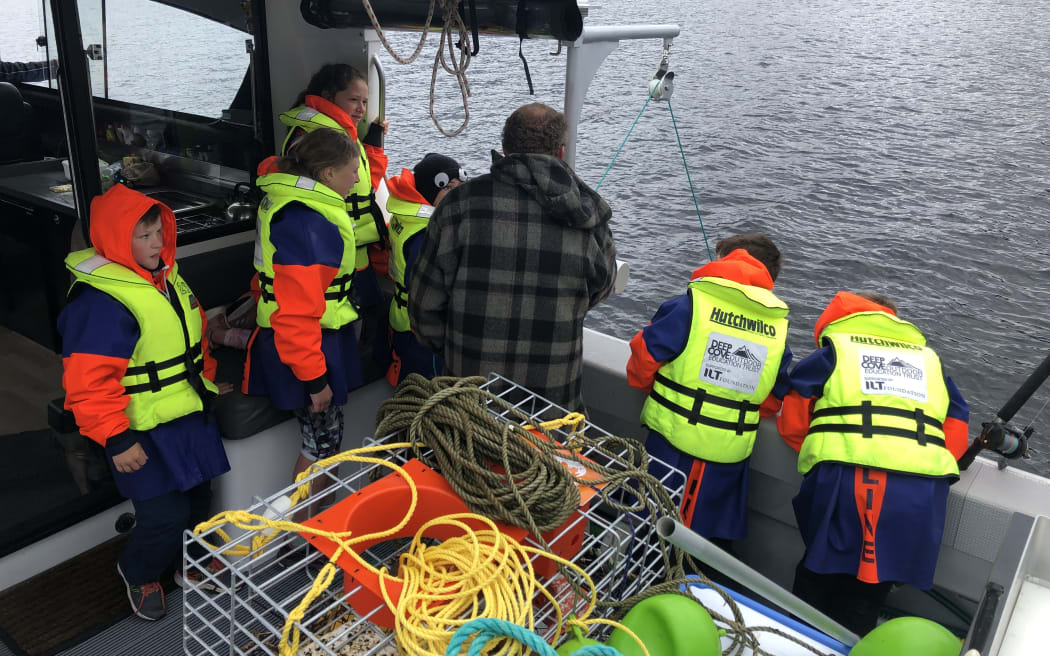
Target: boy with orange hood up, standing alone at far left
{"x": 139, "y": 382}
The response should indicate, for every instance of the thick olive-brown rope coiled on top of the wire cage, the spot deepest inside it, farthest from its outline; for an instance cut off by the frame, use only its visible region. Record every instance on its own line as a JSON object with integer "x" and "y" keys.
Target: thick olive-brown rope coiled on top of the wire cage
{"x": 470, "y": 430}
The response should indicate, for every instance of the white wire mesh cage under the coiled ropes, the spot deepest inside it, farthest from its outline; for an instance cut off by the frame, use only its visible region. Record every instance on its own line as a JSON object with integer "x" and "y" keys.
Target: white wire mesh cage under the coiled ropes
{"x": 242, "y": 609}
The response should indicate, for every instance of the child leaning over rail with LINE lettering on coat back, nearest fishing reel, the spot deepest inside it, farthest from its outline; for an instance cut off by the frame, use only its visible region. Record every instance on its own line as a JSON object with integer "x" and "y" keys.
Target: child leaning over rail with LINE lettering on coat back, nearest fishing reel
{"x": 879, "y": 428}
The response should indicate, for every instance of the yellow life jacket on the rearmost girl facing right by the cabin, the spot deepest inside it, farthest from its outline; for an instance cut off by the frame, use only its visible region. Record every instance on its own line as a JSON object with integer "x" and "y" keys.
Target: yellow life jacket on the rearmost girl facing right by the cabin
{"x": 362, "y": 206}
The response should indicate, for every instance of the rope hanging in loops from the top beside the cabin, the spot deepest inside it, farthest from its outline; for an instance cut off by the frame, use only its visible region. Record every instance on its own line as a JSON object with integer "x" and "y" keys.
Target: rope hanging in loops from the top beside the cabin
{"x": 453, "y": 22}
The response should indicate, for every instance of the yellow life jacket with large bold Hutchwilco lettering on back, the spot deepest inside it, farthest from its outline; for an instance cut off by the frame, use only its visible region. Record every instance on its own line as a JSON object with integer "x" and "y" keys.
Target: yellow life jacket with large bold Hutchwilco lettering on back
{"x": 706, "y": 401}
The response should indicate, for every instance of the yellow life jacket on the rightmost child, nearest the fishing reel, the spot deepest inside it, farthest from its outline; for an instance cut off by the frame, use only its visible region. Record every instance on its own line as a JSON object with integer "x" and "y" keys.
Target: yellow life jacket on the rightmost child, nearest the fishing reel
{"x": 886, "y": 403}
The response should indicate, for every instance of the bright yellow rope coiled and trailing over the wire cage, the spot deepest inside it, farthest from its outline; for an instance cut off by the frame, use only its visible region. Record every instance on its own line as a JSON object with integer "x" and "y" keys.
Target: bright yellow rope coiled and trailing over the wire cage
{"x": 480, "y": 575}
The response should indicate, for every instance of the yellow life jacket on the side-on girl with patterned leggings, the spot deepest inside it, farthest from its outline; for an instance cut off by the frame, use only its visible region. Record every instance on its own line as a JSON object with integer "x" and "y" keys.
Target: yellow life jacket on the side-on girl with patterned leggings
{"x": 282, "y": 189}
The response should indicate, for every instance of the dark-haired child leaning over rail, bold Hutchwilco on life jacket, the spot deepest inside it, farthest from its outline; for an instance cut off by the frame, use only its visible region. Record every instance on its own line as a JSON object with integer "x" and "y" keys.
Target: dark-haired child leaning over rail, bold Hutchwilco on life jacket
{"x": 710, "y": 373}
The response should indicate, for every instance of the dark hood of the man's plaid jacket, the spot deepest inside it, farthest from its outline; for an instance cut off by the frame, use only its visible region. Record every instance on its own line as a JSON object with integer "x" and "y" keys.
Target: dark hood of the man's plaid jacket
{"x": 554, "y": 185}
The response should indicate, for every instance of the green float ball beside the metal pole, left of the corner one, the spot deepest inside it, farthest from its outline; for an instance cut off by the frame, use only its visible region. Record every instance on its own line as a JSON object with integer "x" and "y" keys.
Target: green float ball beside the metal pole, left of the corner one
{"x": 669, "y": 625}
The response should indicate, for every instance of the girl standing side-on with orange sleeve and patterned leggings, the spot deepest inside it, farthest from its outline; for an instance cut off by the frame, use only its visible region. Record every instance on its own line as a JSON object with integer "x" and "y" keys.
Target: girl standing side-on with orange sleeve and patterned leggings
{"x": 305, "y": 355}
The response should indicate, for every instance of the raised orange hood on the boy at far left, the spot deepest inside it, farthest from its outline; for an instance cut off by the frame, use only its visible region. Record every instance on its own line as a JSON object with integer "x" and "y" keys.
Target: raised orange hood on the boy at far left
{"x": 114, "y": 218}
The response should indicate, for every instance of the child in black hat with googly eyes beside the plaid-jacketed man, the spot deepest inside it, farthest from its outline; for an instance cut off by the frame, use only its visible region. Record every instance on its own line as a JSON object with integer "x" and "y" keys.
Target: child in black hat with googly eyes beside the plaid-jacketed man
{"x": 413, "y": 197}
